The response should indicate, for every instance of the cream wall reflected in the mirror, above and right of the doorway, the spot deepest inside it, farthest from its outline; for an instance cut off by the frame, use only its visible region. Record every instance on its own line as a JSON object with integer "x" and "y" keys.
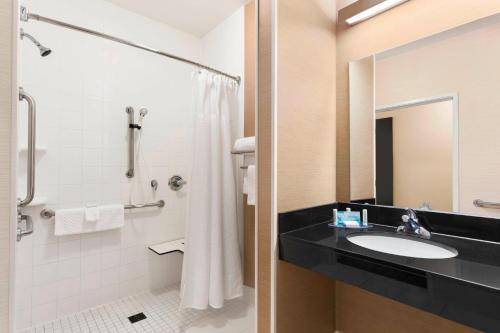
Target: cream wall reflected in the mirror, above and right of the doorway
{"x": 463, "y": 62}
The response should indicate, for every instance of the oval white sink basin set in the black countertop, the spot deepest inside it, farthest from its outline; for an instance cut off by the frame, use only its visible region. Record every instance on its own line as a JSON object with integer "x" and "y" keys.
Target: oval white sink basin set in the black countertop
{"x": 402, "y": 245}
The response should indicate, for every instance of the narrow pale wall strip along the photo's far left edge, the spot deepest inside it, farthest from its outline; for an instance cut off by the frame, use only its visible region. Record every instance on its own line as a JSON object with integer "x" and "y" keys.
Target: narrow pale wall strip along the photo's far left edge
{"x": 6, "y": 61}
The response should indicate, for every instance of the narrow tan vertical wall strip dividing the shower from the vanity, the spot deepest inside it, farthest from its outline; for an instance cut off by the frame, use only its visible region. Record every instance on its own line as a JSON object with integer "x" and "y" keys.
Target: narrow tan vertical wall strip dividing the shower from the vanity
{"x": 264, "y": 132}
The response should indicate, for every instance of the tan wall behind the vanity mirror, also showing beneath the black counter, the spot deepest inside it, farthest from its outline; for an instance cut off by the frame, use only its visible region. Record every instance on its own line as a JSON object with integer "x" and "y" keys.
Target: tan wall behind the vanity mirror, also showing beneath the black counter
{"x": 405, "y": 23}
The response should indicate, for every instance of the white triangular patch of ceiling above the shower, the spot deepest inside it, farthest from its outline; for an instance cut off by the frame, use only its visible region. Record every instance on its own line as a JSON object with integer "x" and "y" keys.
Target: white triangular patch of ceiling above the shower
{"x": 196, "y": 17}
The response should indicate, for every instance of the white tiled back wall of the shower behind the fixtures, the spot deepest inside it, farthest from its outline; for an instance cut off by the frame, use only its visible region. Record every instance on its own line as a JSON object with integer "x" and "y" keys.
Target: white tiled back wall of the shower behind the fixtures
{"x": 82, "y": 90}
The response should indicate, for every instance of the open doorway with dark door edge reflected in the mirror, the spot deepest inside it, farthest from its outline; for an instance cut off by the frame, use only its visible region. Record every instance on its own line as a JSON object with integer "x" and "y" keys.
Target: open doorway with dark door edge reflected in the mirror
{"x": 414, "y": 156}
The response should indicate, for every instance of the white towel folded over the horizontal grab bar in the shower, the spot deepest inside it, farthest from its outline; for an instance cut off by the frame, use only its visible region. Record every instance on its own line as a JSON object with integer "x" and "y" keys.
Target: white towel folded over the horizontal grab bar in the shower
{"x": 72, "y": 221}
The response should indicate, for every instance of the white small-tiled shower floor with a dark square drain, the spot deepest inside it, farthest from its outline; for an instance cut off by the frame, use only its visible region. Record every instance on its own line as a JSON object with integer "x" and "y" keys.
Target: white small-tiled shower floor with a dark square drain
{"x": 163, "y": 316}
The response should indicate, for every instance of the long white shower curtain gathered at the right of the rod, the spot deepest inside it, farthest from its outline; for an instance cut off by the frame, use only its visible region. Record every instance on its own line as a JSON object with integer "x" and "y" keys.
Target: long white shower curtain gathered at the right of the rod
{"x": 211, "y": 271}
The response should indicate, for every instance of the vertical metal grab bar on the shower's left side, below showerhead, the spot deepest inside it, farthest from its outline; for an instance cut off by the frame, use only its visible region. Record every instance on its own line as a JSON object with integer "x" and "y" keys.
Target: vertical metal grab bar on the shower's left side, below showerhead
{"x": 30, "y": 176}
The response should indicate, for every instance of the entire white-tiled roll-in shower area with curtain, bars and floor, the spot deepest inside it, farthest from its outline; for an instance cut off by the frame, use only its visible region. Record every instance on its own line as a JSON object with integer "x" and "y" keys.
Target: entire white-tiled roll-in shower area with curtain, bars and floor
{"x": 132, "y": 215}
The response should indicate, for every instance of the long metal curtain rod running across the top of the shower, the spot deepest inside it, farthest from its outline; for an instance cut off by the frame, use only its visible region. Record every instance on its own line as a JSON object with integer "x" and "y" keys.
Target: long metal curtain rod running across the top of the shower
{"x": 25, "y": 16}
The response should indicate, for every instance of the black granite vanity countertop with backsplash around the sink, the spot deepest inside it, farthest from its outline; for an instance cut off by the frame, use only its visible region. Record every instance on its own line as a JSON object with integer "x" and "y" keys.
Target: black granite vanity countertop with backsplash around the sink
{"x": 465, "y": 289}
